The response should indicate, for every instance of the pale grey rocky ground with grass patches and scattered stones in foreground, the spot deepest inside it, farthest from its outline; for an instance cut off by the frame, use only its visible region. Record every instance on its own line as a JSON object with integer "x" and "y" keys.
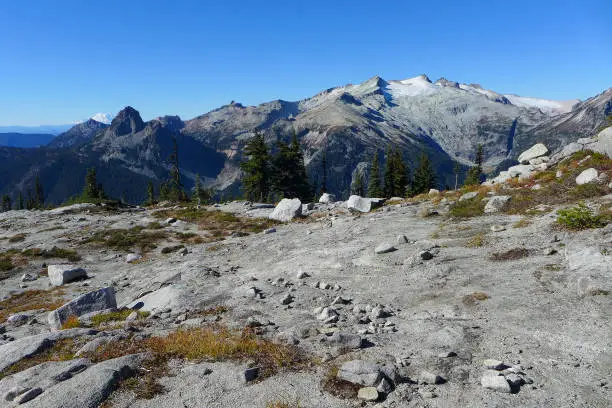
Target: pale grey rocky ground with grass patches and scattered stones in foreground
{"x": 404, "y": 305}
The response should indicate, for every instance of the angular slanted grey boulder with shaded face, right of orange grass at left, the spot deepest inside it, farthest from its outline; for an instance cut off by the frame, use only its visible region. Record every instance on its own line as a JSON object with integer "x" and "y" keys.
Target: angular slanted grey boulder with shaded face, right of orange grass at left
{"x": 89, "y": 302}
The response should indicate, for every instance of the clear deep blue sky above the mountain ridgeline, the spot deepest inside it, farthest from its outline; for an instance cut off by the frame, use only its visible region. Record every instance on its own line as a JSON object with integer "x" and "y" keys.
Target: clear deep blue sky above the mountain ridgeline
{"x": 61, "y": 61}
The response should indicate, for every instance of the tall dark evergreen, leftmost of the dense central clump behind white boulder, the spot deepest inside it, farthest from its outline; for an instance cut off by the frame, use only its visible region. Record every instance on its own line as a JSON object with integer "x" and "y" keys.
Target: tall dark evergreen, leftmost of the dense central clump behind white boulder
{"x": 256, "y": 180}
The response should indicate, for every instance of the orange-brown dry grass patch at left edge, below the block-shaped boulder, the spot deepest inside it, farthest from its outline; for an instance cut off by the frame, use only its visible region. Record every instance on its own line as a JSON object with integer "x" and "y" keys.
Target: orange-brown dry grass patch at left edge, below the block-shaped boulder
{"x": 31, "y": 300}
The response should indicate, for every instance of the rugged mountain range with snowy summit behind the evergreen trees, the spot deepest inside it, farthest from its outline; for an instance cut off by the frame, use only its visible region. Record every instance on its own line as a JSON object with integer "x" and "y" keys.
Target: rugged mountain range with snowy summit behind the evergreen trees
{"x": 348, "y": 124}
